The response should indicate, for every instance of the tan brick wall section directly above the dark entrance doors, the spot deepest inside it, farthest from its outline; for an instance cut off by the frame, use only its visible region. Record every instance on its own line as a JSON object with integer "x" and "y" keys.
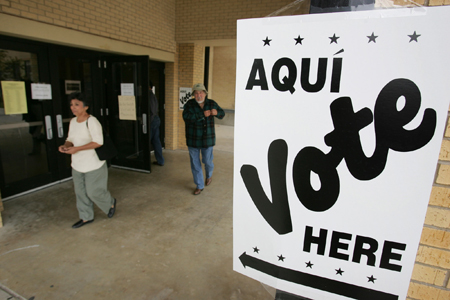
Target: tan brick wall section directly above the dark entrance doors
{"x": 149, "y": 23}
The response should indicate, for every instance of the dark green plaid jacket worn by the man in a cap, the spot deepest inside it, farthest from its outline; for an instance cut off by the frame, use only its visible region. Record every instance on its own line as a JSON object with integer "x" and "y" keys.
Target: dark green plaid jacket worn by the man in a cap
{"x": 200, "y": 132}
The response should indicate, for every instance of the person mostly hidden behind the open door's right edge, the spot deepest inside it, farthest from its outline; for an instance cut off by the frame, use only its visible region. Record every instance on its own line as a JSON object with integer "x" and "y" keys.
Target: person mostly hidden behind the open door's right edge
{"x": 155, "y": 123}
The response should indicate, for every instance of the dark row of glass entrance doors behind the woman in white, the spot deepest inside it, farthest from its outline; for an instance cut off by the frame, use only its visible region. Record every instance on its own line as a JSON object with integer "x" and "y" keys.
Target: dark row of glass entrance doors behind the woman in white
{"x": 29, "y": 139}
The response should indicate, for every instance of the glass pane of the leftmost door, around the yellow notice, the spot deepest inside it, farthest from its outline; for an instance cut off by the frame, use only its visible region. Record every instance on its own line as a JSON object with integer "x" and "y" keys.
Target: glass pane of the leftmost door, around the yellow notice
{"x": 23, "y": 150}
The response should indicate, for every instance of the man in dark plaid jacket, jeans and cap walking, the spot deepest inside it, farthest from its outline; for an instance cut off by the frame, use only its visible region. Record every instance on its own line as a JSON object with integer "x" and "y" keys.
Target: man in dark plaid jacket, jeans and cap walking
{"x": 198, "y": 115}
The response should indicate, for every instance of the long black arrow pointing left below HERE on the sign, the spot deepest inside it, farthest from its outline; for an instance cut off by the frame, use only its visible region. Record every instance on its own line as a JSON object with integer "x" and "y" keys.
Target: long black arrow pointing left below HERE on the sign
{"x": 313, "y": 281}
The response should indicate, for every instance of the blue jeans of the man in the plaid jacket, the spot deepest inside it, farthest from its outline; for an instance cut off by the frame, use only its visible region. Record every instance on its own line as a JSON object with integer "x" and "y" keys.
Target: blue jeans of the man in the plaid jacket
{"x": 196, "y": 165}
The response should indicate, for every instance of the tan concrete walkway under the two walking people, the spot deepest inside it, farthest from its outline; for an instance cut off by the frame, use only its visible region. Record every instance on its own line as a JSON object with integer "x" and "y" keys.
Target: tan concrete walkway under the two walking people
{"x": 163, "y": 242}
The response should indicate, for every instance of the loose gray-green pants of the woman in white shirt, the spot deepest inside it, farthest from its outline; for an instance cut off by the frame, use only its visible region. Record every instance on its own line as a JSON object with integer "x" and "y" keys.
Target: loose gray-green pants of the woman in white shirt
{"x": 90, "y": 188}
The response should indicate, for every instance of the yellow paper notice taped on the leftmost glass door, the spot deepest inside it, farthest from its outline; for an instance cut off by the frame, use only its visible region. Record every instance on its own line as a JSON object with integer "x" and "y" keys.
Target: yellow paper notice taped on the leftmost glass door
{"x": 14, "y": 97}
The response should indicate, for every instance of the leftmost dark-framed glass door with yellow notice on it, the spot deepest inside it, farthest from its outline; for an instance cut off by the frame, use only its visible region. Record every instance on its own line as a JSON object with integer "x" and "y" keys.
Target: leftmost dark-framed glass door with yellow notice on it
{"x": 27, "y": 129}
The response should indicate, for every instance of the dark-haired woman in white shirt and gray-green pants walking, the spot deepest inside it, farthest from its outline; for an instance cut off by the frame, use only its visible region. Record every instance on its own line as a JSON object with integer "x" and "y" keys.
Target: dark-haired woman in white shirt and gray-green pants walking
{"x": 90, "y": 175}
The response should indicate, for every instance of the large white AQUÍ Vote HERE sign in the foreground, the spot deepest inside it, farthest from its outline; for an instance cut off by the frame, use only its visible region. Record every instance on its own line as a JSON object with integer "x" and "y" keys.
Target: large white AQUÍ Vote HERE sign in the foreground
{"x": 339, "y": 123}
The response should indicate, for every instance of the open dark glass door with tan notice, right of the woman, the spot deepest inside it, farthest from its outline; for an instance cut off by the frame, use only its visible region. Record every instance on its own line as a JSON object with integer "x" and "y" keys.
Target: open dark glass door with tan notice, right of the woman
{"x": 127, "y": 110}
